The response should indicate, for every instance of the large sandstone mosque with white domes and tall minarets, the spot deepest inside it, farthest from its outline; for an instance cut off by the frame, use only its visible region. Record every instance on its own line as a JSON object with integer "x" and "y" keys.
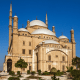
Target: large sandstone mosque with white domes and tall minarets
{"x": 38, "y": 46}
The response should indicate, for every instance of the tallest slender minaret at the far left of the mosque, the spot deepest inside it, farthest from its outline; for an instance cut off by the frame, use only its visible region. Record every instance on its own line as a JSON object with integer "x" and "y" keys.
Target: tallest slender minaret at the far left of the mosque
{"x": 10, "y": 23}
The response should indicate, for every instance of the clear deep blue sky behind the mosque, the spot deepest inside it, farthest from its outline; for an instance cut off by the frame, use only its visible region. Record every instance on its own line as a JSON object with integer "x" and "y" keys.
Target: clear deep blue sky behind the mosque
{"x": 63, "y": 14}
